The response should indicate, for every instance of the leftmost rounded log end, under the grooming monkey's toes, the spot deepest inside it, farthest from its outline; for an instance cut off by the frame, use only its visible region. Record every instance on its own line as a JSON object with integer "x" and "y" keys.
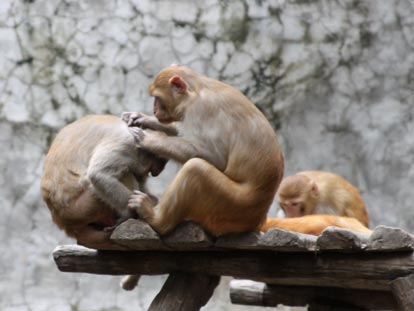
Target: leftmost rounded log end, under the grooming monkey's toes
{"x": 137, "y": 234}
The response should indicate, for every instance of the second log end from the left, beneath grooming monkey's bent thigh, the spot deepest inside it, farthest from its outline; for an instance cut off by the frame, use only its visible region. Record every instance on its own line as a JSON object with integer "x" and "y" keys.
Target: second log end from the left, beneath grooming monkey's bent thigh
{"x": 188, "y": 236}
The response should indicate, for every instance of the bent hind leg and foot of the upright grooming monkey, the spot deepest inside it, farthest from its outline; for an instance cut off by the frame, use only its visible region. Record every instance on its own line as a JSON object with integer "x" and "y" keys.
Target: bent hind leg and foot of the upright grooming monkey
{"x": 202, "y": 193}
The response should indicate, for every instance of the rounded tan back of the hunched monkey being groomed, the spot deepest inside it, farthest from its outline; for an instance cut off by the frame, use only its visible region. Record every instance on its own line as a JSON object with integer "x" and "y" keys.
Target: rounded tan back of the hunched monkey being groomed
{"x": 68, "y": 158}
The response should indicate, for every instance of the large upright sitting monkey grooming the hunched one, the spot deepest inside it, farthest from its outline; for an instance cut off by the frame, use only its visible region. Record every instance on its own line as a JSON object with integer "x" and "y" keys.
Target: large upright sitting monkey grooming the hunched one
{"x": 221, "y": 185}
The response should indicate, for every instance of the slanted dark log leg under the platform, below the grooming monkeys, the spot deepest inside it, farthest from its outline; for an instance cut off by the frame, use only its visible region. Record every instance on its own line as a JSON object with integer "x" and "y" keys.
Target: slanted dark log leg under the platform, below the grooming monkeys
{"x": 184, "y": 292}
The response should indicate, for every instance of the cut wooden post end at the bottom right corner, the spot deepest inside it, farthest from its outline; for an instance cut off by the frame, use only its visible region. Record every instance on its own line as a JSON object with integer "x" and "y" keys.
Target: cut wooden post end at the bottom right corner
{"x": 403, "y": 290}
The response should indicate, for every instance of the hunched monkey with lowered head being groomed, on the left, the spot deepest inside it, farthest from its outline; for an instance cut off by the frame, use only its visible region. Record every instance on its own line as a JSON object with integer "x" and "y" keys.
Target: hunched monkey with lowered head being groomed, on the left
{"x": 89, "y": 174}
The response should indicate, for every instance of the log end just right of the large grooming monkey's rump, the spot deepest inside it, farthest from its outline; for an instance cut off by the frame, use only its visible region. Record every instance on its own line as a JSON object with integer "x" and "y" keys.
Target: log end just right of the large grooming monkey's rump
{"x": 283, "y": 240}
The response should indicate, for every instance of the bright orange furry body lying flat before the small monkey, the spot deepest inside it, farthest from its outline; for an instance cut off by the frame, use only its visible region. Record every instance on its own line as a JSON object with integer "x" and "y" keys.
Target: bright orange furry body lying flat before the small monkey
{"x": 314, "y": 224}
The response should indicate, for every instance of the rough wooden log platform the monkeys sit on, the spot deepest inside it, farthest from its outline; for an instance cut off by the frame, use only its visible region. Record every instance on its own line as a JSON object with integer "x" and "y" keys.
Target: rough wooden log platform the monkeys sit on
{"x": 339, "y": 270}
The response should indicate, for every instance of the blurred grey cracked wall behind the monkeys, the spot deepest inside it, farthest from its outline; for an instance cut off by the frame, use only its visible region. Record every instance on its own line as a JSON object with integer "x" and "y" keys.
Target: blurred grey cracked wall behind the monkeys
{"x": 335, "y": 78}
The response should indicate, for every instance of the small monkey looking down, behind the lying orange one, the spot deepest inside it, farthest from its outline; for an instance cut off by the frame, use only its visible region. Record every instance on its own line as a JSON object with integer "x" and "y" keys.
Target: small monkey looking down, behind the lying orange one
{"x": 320, "y": 192}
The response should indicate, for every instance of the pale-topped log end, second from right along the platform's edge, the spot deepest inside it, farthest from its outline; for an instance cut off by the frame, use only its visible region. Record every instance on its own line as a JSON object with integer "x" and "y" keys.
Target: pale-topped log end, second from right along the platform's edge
{"x": 339, "y": 239}
